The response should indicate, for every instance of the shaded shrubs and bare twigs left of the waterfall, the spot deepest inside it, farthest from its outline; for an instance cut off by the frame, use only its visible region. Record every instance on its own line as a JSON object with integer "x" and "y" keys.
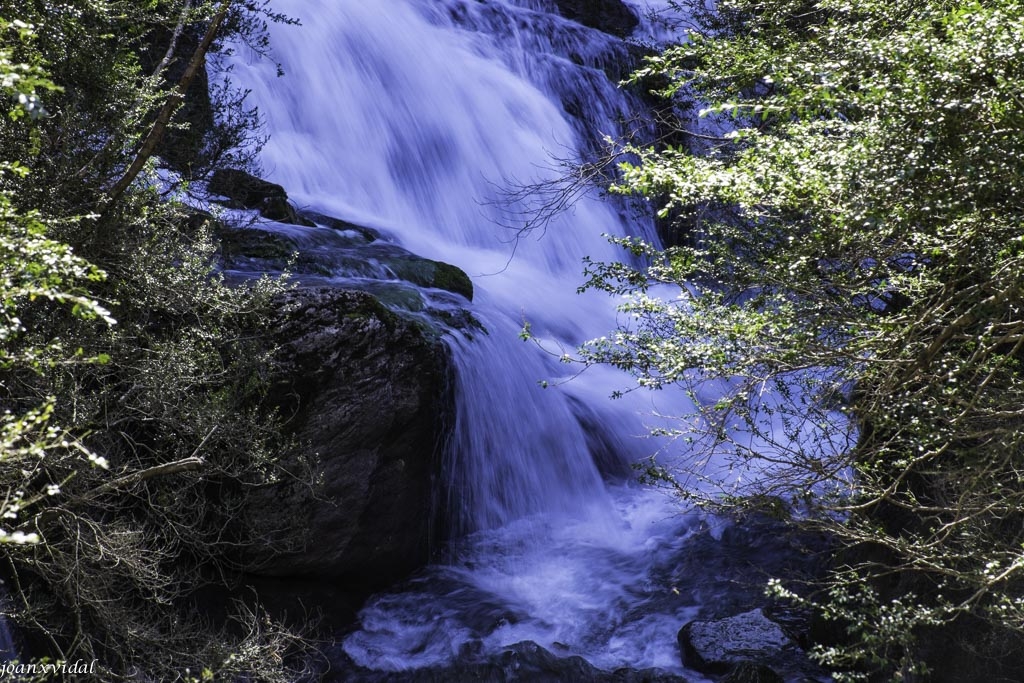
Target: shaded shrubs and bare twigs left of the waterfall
{"x": 124, "y": 348}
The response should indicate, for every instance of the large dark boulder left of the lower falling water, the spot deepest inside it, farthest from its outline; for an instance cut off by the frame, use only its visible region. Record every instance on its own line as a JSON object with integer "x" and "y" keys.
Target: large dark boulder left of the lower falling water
{"x": 362, "y": 390}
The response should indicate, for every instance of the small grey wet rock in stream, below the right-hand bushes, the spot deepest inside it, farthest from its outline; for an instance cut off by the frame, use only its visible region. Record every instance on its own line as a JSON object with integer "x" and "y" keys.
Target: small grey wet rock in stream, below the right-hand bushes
{"x": 746, "y": 643}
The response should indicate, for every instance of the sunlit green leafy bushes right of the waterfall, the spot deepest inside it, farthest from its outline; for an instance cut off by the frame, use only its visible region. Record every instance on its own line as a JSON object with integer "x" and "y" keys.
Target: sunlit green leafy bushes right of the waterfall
{"x": 847, "y": 308}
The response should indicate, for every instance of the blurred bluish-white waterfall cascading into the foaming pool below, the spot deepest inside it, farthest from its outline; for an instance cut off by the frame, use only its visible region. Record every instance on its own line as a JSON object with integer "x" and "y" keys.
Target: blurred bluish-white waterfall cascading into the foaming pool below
{"x": 419, "y": 118}
